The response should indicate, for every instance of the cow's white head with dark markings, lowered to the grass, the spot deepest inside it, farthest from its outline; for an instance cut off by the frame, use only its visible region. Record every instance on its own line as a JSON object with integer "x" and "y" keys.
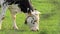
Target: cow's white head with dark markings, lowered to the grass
{"x": 33, "y": 20}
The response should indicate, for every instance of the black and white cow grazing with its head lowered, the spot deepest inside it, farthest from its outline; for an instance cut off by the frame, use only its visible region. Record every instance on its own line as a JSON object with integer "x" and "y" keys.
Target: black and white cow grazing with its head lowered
{"x": 32, "y": 16}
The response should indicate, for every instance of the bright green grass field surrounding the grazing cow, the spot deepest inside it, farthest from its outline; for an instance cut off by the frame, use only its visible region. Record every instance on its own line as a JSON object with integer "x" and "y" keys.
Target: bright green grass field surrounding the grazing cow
{"x": 49, "y": 19}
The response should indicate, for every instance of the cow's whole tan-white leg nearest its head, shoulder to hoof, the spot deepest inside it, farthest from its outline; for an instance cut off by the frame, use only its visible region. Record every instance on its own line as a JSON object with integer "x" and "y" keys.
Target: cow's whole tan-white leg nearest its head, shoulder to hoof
{"x": 13, "y": 14}
